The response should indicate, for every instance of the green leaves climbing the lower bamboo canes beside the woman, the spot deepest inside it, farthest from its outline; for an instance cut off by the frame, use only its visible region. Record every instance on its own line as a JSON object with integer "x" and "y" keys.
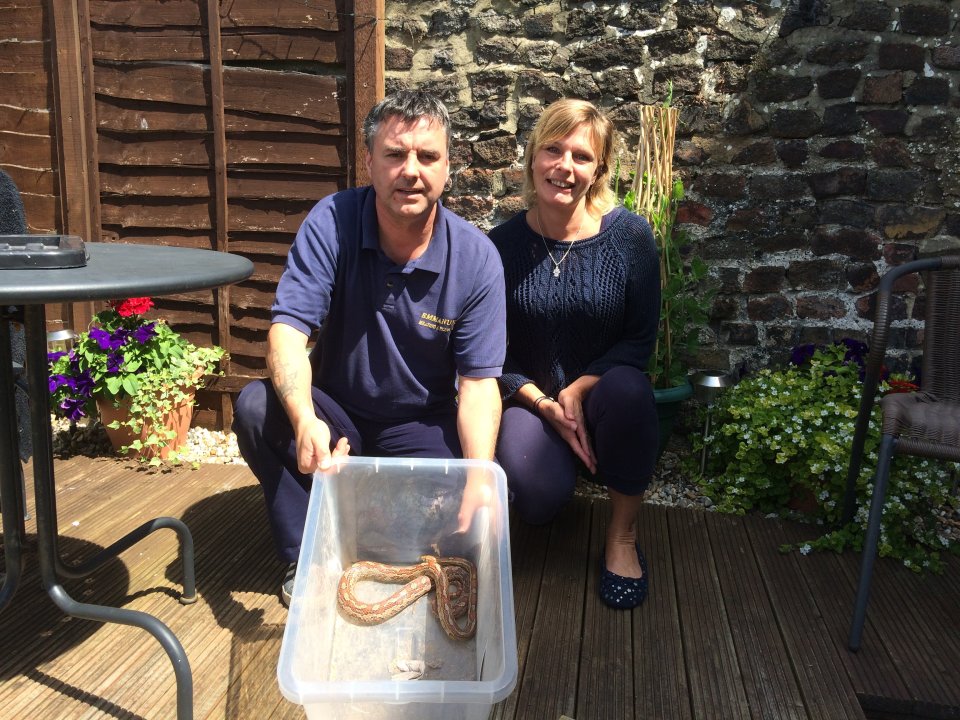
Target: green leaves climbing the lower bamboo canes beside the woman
{"x": 684, "y": 304}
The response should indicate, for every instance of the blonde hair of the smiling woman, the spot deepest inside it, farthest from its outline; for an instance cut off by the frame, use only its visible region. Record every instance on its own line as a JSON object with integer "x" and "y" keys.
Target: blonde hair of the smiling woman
{"x": 559, "y": 120}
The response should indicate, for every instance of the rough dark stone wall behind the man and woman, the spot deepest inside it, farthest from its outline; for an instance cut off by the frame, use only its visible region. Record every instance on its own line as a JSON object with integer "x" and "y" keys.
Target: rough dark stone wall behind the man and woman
{"x": 819, "y": 141}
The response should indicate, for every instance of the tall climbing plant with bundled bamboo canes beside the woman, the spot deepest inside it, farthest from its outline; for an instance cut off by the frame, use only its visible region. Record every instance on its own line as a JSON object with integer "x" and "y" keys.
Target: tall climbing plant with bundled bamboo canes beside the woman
{"x": 684, "y": 308}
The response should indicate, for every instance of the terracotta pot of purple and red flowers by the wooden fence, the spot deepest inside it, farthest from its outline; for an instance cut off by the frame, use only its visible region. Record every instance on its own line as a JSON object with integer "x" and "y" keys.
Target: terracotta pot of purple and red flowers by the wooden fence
{"x": 138, "y": 374}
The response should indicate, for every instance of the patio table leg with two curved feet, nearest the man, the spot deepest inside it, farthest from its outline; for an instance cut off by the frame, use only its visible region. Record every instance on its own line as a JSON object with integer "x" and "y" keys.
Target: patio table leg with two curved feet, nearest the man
{"x": 49, "y": 556}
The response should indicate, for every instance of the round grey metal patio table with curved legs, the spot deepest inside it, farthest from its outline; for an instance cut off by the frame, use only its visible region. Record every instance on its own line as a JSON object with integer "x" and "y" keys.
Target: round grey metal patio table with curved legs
{"x": 113, "y": 271}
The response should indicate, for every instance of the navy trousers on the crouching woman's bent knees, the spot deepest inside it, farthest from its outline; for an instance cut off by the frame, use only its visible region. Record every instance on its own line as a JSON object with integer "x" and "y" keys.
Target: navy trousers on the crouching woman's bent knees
{"x": 541, "y": 468}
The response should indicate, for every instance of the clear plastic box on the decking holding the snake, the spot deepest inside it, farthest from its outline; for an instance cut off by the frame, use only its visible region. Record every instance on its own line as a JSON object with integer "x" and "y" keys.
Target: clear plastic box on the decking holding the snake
{"x": 394, "y": 510}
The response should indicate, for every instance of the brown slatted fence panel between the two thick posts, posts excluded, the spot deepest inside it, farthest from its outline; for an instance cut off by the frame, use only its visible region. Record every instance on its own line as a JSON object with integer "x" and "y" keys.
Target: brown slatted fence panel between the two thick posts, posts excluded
{"x": 199, "y": 146}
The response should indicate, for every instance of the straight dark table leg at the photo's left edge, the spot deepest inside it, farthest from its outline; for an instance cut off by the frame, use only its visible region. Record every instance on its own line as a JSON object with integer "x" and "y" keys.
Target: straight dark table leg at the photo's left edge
{"x": 11, "y": 474}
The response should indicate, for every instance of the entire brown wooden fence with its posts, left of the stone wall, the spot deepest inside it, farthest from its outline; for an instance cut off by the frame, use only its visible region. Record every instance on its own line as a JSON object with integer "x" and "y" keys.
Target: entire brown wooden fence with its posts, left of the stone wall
{"x": 196, "y": 123}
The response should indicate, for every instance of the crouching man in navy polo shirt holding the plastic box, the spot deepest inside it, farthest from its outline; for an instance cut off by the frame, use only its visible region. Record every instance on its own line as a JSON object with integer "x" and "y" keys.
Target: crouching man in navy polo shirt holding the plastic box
{"x": 408, "y": 301}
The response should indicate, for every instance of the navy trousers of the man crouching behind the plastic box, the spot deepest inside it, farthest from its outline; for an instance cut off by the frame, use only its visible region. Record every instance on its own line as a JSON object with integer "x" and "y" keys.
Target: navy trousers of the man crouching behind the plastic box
{"x": 266, "y": 442}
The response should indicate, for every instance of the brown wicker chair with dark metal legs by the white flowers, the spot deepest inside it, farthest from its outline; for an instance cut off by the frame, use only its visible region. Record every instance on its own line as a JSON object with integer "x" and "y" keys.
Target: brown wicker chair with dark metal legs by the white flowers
{"x": 926, "y": 422}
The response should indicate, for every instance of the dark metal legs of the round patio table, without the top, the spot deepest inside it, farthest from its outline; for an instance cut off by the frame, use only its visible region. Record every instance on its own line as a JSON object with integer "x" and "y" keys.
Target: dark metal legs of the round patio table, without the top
{"x": 52, "y": 567}
